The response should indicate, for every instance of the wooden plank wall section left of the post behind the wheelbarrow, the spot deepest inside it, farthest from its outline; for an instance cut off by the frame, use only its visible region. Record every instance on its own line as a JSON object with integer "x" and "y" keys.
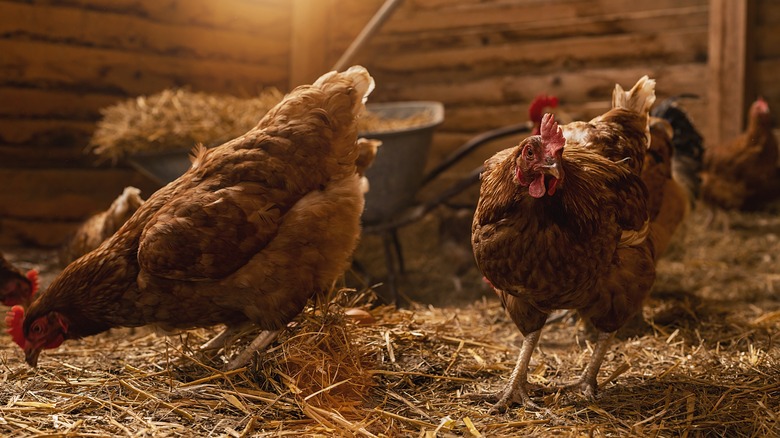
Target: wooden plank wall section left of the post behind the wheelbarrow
{"x": 62, "y": 60}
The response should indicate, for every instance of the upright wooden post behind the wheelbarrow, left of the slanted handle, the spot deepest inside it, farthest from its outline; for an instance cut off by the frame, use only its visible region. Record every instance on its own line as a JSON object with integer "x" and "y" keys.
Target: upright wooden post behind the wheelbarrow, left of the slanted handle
{"x": 308, "y": 41}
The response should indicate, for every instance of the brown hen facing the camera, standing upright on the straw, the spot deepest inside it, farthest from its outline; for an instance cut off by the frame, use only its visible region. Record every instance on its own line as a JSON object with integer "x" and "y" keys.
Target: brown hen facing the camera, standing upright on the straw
{"x": 562, "y": 223}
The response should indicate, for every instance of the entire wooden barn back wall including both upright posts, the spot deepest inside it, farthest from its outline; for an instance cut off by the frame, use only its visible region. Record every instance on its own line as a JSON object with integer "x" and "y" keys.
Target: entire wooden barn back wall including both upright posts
{"x": 485, "y": 60}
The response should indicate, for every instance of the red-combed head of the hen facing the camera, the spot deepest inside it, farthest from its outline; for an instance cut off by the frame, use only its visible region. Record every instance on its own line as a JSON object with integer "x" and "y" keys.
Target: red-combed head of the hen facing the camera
{"x": 539, "y": 163}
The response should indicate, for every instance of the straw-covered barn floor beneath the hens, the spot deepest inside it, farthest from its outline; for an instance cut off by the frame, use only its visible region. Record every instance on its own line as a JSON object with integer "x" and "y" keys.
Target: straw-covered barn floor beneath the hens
{"x": 701, "y": 362}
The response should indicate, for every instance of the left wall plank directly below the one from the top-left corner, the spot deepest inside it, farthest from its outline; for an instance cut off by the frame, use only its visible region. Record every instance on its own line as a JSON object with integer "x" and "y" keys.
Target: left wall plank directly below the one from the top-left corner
{"x": 34, "y": 63}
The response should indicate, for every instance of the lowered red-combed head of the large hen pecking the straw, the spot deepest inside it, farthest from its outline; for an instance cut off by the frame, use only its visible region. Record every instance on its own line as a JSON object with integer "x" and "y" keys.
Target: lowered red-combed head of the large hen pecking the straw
{"x": 37, "y": 333}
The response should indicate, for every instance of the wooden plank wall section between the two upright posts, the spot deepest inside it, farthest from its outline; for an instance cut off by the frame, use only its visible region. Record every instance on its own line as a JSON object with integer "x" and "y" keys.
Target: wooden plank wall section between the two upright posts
{"x": 486, "y": 60}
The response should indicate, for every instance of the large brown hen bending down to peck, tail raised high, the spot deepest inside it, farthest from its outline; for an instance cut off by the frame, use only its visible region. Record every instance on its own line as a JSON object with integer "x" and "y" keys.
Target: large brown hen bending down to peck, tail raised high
{"x": 247, "y": 235}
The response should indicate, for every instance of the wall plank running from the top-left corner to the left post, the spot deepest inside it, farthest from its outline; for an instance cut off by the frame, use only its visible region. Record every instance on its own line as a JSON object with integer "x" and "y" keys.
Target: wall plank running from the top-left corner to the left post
{"x": 139, "y": 34}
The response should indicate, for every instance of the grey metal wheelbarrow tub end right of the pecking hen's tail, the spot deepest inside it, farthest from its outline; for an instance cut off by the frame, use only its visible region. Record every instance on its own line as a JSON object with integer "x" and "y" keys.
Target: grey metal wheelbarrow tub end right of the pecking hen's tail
{"x": 397, "y": 172}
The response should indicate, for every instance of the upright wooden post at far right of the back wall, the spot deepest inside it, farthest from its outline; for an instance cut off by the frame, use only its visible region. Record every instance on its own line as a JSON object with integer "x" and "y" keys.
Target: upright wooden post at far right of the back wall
{"x": 729, "y": 63}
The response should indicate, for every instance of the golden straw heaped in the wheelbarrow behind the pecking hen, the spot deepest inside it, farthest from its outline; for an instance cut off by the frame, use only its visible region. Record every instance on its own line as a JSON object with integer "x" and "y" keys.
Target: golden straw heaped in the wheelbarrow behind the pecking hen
{"x": 177, "y": 119}
